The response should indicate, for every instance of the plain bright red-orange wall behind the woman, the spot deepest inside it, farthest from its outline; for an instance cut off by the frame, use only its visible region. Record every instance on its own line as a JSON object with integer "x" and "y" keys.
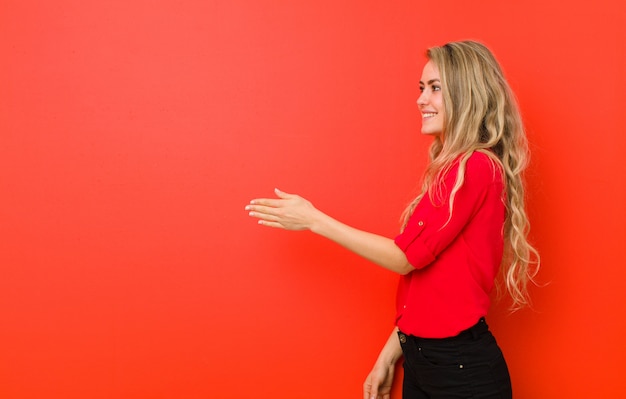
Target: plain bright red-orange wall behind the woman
{"x": 134, "y": 132}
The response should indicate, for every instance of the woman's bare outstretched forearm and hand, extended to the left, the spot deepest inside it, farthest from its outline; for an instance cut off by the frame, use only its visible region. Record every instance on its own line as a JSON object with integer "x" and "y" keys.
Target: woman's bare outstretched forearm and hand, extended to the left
{"x": 292, "y": 212}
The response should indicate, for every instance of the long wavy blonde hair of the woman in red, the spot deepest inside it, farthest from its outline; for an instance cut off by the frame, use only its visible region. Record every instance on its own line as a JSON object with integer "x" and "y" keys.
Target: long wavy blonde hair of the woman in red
{"x": 481, "y": 114}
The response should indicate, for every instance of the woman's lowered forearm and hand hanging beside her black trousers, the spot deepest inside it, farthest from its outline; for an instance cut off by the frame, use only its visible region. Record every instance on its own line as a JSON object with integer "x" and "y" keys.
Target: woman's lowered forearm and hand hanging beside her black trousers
{"x": 379, "y": 381}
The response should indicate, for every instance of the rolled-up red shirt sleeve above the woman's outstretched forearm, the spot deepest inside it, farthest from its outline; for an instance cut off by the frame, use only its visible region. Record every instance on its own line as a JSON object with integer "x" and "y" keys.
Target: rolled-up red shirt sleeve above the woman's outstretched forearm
{"x": 431, "y": 228}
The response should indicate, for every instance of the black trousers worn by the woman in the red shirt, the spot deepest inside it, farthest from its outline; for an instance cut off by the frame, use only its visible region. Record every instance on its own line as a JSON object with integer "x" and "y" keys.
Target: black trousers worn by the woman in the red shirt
{"x": 469, "y": 365}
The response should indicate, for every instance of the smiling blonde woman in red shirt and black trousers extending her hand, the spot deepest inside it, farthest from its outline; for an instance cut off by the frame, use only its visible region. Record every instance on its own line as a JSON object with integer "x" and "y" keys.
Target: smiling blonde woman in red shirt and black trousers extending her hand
{"x": 468, "y": 220}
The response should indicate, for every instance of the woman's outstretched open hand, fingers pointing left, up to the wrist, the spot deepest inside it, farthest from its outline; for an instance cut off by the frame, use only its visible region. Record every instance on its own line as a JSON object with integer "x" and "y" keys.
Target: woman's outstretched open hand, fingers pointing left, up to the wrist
{"x": 288, "y": 211}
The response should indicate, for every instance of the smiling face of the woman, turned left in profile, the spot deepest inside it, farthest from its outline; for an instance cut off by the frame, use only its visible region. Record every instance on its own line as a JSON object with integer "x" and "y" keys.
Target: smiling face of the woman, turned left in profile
{"x": 430, "y": 102}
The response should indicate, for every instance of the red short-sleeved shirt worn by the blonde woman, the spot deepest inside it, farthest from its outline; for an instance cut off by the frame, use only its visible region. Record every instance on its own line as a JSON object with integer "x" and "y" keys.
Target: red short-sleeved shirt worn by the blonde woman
{"x": 455, "y": 263}
